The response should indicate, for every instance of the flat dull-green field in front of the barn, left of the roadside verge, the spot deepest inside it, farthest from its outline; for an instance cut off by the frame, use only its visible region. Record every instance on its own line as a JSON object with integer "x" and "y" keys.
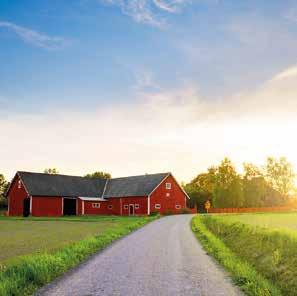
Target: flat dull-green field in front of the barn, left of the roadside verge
{"x": 22, "y": 236}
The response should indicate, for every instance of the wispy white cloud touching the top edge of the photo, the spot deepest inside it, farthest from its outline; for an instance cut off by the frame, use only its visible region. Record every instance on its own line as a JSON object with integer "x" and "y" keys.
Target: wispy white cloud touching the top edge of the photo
{"x": 149, "y": 12}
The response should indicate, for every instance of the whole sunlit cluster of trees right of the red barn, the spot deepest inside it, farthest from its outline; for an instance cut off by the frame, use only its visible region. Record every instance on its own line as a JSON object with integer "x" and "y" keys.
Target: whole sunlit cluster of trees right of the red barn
{"x": 270, "y": 185}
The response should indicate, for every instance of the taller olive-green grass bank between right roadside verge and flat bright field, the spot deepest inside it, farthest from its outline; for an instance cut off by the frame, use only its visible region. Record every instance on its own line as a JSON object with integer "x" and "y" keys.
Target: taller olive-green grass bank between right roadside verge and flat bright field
{"x": 273, "y": 253}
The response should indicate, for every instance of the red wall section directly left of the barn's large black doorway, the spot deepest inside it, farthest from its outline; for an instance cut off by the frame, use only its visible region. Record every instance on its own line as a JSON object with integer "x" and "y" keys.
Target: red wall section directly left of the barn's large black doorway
{"x": 47, "y": 206}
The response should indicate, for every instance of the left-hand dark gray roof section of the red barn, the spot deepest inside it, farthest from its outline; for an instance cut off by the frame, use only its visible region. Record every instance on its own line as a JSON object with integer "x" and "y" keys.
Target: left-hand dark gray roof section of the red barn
{"x": 61, "y": 185}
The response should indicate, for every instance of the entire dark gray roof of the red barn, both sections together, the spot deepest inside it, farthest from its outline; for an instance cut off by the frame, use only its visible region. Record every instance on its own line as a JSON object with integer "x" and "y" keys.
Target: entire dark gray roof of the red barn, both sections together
{"x": 39, "y": 184}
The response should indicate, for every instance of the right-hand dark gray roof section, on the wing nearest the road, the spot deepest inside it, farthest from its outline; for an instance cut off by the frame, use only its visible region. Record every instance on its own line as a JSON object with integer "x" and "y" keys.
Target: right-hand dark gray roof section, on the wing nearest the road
{"x": 133, "y": 186}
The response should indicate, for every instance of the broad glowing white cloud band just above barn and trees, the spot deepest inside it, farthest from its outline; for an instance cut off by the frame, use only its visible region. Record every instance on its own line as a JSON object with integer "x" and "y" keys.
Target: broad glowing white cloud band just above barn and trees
{"x": 168, "y": 130}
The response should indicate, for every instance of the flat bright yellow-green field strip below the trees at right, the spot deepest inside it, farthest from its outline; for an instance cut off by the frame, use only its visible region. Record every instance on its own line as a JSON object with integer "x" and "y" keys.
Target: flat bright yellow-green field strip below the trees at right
{"x": 269, "y": 220}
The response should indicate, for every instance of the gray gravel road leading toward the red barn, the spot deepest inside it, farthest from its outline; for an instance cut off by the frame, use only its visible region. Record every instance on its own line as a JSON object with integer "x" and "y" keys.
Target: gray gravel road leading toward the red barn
{"x": 162, "y": 258}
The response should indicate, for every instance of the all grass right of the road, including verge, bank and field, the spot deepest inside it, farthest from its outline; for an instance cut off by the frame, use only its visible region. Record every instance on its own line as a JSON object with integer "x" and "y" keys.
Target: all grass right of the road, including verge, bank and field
{"x": 258, "y": 250}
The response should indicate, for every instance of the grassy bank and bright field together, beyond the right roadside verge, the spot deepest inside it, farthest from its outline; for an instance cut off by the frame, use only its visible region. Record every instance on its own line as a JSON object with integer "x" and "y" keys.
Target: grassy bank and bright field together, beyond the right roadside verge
{"x": 270, "y": 250}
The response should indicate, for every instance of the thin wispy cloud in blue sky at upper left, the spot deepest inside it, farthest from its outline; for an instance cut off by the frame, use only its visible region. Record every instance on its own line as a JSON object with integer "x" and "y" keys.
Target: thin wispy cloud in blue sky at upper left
{"x": 35, "y": 38}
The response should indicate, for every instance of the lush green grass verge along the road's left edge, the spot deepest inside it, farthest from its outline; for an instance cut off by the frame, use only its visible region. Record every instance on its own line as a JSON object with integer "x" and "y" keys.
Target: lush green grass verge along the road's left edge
{"x": 24, "y": 275}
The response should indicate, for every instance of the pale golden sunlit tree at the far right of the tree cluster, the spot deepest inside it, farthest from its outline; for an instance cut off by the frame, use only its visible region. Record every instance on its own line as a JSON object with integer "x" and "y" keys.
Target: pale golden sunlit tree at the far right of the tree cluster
{"x": 280, "y": 175}
